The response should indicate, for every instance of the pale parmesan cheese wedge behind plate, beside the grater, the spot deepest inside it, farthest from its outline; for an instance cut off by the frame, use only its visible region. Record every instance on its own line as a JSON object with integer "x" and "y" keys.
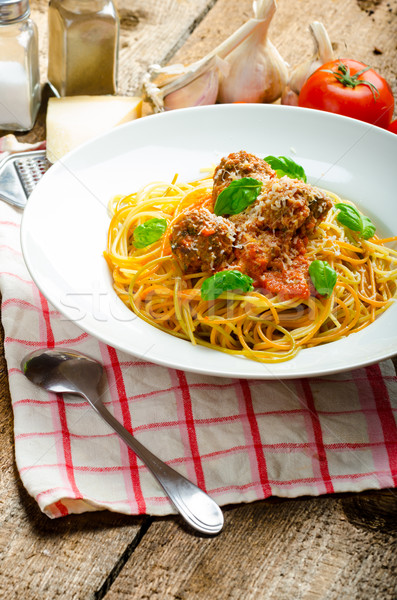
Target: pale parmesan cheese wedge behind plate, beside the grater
{"x": 71, "y": 121}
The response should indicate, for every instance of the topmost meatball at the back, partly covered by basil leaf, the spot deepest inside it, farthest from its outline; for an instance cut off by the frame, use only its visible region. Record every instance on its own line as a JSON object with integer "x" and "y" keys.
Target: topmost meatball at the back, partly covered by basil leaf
{"x": 238, "y": 165}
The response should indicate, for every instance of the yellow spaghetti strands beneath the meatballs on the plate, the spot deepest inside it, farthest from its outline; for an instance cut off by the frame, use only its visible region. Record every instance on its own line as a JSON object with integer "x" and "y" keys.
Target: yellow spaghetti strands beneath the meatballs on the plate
{"x": 257, "y": 324}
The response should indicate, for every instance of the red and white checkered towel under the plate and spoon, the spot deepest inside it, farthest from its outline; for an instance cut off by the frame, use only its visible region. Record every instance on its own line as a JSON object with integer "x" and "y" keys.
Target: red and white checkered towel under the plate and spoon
{"x": 239, "y": 440}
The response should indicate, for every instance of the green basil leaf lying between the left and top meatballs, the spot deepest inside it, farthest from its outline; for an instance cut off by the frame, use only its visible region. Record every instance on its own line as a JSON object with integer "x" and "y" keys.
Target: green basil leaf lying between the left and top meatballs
{"x": 237, "y": 196}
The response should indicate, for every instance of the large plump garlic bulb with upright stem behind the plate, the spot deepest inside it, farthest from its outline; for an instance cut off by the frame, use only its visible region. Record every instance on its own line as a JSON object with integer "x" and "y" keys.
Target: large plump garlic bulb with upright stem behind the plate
{"x": 257, "y": 71}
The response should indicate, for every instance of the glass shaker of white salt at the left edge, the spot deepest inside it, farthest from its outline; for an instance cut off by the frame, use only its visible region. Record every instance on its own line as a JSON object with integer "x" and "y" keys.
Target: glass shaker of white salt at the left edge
{"x": 19, "y": 67}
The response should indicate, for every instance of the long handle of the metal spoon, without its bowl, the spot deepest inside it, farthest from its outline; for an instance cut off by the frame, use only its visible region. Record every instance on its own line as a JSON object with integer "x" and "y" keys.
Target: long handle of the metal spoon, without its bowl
{"x": 197, "y": 508}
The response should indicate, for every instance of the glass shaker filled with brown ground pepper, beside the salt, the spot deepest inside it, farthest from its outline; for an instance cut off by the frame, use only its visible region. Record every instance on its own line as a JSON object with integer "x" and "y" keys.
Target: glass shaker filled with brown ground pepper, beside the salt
{"x": 83, "y": 47}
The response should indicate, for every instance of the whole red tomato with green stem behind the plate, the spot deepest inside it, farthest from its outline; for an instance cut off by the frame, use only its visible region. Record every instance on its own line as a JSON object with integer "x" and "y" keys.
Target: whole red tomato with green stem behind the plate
{"x": 349, "y": 88}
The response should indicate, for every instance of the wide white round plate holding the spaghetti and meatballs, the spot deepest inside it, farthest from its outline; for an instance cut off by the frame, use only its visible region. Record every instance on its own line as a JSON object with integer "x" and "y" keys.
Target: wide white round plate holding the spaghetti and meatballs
{"x": 65, "y": 223}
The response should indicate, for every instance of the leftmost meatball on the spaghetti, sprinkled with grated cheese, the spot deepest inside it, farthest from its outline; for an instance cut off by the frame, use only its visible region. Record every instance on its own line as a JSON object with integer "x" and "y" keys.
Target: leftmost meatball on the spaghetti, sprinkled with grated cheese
{"x": 201, "y": 241}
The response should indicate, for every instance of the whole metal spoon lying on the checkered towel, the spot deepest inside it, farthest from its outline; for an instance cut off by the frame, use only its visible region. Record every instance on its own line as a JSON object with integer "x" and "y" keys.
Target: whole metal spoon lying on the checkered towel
{"x": 66, "y": 371}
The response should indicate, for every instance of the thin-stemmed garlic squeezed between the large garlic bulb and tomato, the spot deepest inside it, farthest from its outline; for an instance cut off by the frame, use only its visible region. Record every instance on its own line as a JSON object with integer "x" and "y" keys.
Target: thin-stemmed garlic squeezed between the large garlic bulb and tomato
{"x": 322, "y": 53}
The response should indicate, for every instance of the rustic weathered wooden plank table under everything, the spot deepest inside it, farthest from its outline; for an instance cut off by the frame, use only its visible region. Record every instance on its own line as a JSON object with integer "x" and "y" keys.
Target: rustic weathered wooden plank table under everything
{"x": 338, "y": 547}
